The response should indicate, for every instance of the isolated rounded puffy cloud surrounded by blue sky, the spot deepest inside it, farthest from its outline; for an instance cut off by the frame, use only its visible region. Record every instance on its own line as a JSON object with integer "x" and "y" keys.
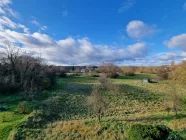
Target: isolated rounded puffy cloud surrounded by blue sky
{"x": 138, "y": 29}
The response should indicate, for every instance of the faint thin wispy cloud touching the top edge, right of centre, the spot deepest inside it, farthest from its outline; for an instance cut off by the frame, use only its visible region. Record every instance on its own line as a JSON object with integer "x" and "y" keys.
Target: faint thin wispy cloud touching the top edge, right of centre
{"x": 126, "y": 5}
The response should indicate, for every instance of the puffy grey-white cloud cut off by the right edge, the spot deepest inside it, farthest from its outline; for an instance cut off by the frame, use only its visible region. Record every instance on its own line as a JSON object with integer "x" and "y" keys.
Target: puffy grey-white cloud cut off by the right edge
{"x": 177, "y": 41}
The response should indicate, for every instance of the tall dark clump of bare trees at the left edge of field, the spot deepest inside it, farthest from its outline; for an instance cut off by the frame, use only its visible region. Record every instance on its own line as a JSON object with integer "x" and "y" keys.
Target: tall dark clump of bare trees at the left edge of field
{"x": 23, "y": 71}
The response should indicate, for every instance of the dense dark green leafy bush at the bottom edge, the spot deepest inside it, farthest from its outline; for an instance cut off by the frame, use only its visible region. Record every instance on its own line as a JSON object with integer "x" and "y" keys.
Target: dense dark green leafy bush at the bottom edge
{"x": 149, "y": 132}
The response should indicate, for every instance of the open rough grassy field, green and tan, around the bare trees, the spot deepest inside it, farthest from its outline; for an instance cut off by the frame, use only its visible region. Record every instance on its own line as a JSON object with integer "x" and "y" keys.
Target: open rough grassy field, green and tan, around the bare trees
{"x": 138, "y": 103}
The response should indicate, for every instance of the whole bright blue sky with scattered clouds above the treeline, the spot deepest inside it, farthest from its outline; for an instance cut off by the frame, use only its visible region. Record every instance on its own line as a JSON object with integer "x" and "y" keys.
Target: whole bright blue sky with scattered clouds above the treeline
{"x": 90, "y": 32}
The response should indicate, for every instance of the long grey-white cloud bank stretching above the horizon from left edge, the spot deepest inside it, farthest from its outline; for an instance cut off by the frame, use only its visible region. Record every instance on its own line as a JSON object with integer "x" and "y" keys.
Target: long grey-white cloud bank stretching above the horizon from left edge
{"x": 72, "y": 51}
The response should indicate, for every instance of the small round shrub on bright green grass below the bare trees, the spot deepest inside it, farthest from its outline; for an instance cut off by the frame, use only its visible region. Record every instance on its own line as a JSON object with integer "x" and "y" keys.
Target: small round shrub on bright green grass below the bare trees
{"x": 24, "y": 108}
